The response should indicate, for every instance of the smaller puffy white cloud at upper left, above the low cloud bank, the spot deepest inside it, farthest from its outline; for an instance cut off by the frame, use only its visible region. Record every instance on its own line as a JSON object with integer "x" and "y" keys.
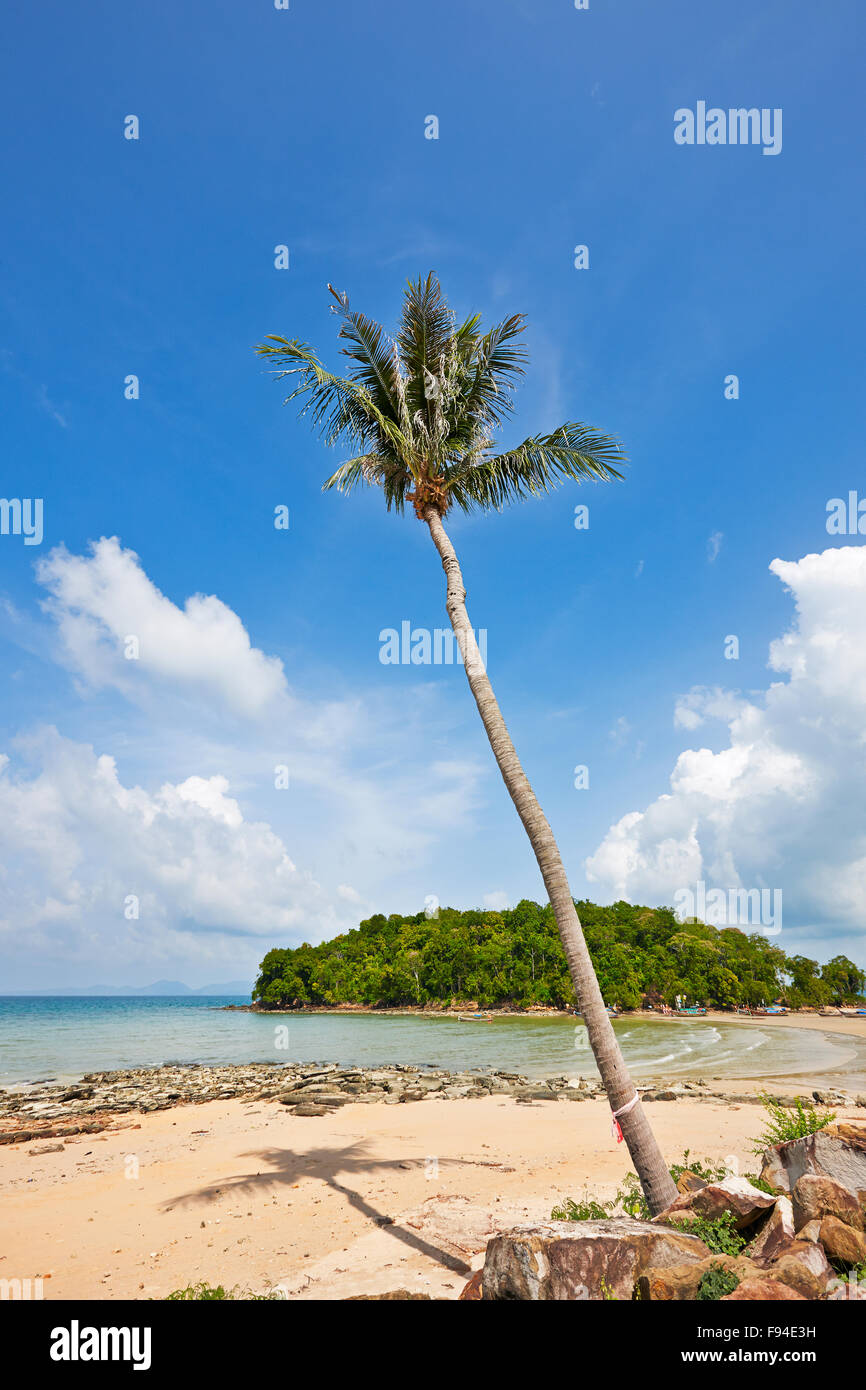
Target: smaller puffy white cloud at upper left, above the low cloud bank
{"x": 108, "y": 608}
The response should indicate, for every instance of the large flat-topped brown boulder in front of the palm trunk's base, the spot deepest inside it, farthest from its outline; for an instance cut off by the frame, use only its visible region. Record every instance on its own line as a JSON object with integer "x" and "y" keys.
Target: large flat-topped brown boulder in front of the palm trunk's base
{"x": 590, "y": 1260}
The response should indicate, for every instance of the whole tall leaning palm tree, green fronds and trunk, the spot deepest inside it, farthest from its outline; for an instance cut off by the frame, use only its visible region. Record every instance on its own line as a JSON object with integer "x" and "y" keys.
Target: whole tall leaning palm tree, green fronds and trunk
{"x": 419, "y": 414}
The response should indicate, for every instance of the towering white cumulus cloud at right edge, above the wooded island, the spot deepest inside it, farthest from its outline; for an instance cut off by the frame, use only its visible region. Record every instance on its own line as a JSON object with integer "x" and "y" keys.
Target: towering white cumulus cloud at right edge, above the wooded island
{"x": 782, "y": 806}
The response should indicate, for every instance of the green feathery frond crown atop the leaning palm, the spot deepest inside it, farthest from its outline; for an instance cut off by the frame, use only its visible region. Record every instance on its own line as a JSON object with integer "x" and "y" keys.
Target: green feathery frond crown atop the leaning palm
{"x": 422, "y": 409}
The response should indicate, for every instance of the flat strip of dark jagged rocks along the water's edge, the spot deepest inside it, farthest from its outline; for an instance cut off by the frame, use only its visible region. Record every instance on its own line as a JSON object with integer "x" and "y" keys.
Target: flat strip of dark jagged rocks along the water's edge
{"x": 101, "y": 1100}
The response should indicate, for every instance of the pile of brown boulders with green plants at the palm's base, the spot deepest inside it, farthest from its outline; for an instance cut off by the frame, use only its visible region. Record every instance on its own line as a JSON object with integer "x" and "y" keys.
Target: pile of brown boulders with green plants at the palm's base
{"x": 800, "y": 1236}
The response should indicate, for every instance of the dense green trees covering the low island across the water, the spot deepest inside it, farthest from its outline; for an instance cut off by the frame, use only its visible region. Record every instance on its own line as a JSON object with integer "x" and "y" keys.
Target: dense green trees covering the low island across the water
{"x": 515, "y": 958}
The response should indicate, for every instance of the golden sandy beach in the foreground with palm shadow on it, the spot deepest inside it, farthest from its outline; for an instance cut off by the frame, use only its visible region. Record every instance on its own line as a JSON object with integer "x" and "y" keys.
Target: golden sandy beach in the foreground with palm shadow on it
{"x": 359, "y": 1202}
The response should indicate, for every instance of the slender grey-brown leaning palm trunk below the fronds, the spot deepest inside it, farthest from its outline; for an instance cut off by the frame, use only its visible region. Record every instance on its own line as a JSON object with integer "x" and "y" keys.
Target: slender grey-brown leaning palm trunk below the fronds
{"x": 646, "y": 1153}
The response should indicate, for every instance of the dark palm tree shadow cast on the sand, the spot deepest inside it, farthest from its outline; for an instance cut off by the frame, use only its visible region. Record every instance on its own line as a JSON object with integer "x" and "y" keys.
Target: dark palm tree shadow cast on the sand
{"x": 330, "y": 1166}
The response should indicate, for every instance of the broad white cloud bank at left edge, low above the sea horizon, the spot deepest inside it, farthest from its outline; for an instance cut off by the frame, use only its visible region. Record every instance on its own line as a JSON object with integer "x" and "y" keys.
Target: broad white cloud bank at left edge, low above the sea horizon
{"x": 87, "y": 853}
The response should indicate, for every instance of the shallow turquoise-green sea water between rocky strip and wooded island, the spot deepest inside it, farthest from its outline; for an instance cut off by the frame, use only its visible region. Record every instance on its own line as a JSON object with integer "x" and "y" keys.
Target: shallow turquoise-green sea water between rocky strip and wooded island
{"x": 44, "y": 1039}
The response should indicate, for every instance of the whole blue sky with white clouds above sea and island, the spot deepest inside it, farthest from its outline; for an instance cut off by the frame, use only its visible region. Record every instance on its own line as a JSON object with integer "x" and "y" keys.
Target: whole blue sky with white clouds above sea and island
{"x": 156, "y": 258}
